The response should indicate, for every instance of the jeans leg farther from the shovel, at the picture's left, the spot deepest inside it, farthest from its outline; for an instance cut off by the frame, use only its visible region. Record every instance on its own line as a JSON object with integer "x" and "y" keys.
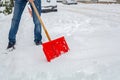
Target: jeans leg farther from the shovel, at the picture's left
{"x": 18, "y": 10}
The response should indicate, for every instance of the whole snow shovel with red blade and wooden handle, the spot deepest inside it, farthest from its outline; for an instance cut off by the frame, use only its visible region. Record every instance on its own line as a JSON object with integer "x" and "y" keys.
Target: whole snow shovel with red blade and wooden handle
{"x": 53, "y": 48}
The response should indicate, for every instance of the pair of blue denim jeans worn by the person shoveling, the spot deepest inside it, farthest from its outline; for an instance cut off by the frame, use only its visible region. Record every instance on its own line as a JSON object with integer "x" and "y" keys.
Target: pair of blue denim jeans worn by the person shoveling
{"x": 18, "y": 10}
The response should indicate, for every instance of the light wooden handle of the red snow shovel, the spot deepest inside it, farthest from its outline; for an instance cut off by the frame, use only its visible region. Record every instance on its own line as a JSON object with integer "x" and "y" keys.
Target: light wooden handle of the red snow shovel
{"x": 40, "y": 19}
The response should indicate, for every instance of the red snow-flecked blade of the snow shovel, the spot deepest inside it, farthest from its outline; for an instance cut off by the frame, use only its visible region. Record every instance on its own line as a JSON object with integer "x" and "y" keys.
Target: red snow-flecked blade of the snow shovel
{"x": 55, "y": 48}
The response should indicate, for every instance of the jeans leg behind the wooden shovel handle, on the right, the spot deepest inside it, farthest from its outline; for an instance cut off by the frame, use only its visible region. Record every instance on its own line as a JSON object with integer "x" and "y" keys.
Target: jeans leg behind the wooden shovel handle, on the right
{"x": 37, "y": 28}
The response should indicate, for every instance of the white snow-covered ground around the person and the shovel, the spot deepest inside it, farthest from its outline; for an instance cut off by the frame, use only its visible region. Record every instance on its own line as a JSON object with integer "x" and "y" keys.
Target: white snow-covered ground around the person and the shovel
{"x": 92, "y": 32}
